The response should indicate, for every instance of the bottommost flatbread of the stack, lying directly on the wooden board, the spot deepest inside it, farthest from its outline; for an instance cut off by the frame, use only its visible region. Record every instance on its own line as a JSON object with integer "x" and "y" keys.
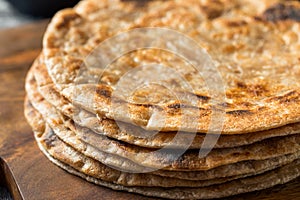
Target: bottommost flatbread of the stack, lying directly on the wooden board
{"x": 74, "y": 162}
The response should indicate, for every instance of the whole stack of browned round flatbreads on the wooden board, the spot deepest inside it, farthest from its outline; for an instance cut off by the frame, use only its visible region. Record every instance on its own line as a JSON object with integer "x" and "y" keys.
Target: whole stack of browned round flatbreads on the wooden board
{"x": 148, "y": 140}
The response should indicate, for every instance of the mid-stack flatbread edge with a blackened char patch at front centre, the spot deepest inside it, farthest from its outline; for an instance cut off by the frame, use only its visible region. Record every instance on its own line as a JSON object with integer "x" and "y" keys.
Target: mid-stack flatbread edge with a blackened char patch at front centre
{"x": 189, "y": 161}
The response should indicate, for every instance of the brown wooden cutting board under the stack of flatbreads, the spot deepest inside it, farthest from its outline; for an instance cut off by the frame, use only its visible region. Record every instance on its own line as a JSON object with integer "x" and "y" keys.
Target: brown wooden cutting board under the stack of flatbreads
{"x": 23, "y": 168}
